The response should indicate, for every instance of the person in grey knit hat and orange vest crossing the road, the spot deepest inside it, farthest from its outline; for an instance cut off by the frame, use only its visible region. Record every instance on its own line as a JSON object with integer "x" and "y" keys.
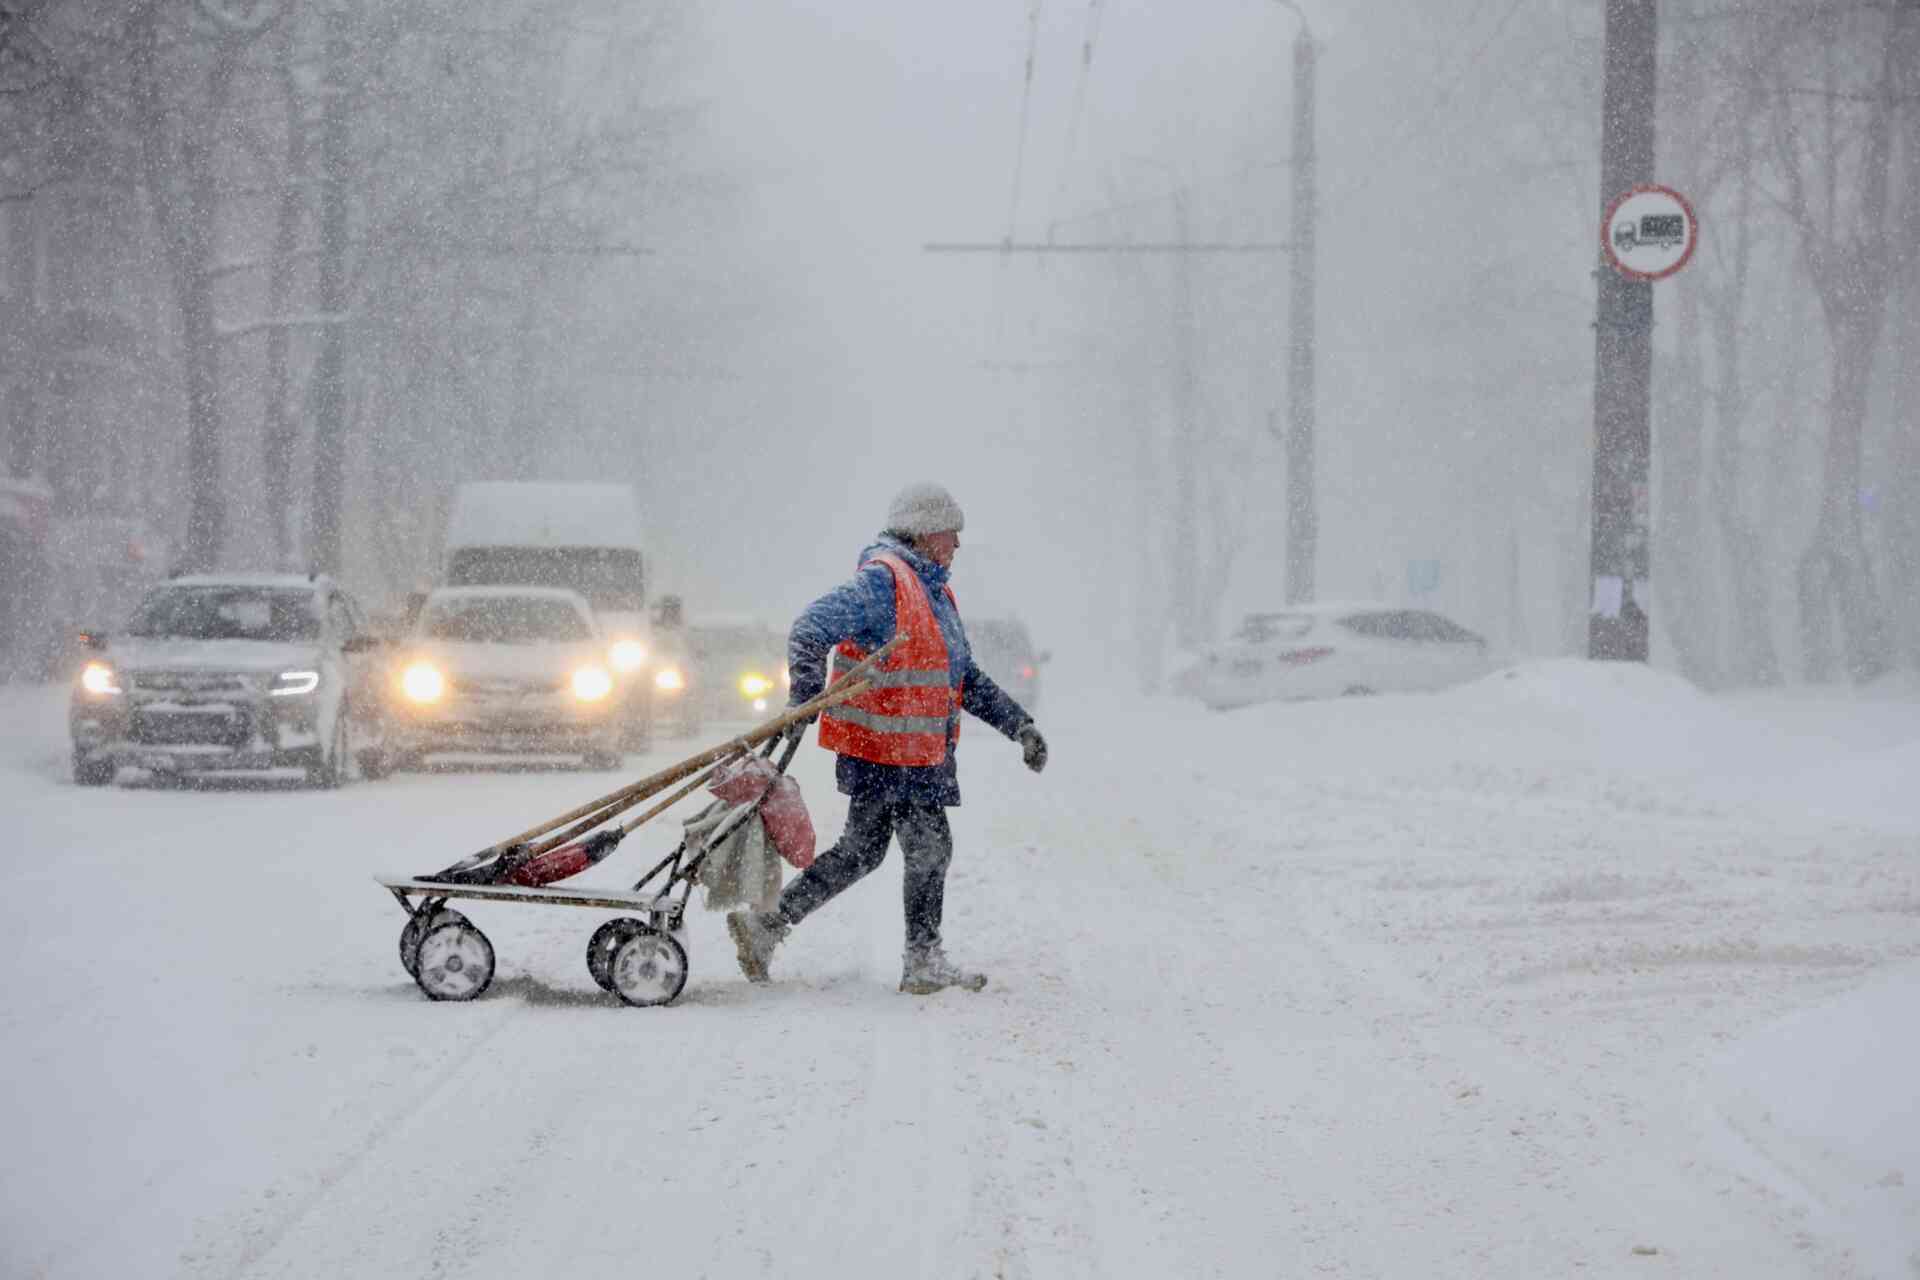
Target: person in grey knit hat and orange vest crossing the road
{"x": 898, "y": 740}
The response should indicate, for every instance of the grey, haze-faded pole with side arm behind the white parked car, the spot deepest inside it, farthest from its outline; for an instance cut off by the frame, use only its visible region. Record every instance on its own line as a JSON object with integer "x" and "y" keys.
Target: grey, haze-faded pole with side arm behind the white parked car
{"x": 1303, "y": 513}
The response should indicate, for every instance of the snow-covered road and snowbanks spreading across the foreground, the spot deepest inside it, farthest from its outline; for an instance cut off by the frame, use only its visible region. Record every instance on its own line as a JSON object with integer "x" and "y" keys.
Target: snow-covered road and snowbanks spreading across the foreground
{"x": 1568, "y": 974}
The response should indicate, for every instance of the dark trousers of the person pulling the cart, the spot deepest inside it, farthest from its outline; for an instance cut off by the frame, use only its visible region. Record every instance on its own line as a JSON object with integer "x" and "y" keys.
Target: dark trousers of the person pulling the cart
{"x": 873, "y": 822}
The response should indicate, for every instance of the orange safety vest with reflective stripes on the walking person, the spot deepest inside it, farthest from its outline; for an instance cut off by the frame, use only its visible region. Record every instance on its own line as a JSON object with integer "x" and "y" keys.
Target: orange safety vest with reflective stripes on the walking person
{"x": 905, "y": 717}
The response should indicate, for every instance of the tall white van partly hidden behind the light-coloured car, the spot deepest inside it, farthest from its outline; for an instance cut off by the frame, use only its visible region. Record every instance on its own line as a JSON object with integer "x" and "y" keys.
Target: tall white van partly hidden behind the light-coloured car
{"x": 579, "y": 536}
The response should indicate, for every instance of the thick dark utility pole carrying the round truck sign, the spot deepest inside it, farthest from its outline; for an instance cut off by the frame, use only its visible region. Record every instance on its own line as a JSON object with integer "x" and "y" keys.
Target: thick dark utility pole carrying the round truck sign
{"x": 1621, "y": 602}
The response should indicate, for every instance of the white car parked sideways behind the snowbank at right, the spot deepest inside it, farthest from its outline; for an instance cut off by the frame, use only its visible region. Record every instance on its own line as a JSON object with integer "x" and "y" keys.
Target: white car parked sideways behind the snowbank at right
{"x": 1322, "y": 652}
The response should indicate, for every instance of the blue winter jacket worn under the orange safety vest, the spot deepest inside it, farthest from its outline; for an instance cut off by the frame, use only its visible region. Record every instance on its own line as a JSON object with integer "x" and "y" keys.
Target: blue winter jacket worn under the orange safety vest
{"x": 863, "y": 611}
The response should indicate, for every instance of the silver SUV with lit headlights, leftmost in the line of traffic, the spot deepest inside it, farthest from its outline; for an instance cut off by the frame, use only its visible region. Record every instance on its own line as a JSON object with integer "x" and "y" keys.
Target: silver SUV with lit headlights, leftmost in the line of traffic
{"x": 231, "y": 673}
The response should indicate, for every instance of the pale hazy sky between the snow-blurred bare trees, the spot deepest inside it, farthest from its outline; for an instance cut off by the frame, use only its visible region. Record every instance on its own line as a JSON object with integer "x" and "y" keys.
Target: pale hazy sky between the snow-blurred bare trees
{"x": 861, "y": 130}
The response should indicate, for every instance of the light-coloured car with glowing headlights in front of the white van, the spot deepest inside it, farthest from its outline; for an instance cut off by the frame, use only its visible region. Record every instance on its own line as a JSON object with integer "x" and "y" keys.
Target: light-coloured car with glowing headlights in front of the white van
{"x": 504, "y": 671}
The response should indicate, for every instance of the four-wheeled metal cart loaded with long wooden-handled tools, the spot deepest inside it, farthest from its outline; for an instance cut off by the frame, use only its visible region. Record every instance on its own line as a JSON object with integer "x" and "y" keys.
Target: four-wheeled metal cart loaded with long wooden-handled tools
{"x": 636, "y": 957}
